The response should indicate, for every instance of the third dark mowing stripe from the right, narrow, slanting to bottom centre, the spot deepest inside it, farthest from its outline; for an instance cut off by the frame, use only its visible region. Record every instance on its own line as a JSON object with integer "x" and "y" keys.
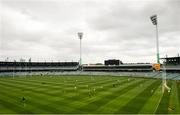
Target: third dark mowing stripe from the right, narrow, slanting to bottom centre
{"x": 93, "y": 106}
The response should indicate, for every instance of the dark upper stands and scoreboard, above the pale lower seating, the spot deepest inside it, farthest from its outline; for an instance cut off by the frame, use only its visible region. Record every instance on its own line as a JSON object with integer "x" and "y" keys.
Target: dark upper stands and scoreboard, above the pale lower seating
{"x": 171, "y": 64}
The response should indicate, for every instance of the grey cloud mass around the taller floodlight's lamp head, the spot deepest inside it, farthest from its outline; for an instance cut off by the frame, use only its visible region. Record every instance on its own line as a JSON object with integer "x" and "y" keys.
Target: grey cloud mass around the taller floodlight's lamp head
{"x": 134, "y": 22}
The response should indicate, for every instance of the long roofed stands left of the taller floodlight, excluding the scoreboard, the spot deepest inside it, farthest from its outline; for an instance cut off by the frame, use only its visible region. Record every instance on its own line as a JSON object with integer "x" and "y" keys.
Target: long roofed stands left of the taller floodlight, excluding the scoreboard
{"x": 70, "y": 66}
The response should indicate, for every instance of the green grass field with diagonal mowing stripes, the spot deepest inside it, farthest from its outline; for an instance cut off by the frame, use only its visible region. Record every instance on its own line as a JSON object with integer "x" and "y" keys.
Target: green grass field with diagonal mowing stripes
{"x": 87, "y": 94}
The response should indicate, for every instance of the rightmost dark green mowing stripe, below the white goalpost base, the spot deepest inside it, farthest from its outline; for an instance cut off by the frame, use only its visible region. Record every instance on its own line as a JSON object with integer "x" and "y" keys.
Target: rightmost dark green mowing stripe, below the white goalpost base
{"x": 164, "y": 103}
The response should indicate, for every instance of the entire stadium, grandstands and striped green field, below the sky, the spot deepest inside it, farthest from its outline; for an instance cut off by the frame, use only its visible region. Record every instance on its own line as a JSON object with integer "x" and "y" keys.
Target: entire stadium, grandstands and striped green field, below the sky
{"x": 66, "y": 88}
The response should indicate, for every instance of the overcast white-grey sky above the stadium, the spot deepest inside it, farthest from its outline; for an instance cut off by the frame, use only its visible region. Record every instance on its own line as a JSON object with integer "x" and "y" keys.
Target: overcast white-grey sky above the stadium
{"x": 113, "y": 29}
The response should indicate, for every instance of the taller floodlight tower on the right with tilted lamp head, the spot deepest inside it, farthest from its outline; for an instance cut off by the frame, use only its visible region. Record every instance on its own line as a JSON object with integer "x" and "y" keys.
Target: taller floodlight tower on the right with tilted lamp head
{"x": 154, "y": 21}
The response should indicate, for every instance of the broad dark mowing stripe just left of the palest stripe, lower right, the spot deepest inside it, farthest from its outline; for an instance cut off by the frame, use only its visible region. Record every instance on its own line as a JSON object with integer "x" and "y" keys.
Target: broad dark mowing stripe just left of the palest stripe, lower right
{"x": 135, "y": 105}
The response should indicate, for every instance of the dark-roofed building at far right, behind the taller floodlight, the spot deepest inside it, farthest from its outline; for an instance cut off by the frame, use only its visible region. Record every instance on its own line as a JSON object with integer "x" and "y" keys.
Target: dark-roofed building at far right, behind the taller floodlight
{"x": 171, "y": 60}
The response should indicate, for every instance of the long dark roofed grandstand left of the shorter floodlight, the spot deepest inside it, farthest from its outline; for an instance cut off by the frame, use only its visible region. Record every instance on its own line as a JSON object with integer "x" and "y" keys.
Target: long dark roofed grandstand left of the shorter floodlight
{"x": 37, "y": 66}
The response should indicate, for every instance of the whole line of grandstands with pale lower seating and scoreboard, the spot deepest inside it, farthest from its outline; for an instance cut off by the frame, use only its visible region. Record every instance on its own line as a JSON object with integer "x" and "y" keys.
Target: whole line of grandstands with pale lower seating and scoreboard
{"x": 113, "y": 67}
